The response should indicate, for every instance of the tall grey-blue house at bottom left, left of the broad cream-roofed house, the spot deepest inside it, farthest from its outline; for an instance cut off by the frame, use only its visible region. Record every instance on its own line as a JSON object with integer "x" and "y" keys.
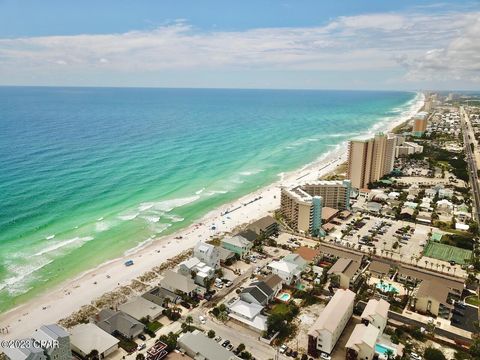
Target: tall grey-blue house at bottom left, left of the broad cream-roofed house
{"x": 58, "y": 340}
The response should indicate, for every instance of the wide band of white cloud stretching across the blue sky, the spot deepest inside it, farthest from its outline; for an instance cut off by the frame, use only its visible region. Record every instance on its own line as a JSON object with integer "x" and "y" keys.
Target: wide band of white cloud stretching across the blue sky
{"x": 438, "y": 46}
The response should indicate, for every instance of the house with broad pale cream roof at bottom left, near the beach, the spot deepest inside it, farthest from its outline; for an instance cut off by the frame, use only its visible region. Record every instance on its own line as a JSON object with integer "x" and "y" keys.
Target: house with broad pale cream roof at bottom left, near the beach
{"x": 87, "y": 337}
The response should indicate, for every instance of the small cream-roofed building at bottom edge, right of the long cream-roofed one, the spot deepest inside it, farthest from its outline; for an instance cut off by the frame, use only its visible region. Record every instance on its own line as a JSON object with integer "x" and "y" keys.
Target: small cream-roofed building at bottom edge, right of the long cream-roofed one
{"x": 361, "y": 344}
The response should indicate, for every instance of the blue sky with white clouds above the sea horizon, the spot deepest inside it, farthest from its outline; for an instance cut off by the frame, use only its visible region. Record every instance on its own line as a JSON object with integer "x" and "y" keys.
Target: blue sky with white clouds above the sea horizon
{"x": 292, "y": 44}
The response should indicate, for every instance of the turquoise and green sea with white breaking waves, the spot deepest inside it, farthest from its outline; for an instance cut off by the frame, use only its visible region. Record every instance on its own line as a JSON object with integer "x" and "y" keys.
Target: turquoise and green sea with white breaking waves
{"x": 89, "y": 173}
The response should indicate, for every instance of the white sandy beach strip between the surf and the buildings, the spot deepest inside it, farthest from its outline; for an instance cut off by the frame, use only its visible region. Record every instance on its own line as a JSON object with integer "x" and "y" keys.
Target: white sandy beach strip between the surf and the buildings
{"x": 71, "y": 295}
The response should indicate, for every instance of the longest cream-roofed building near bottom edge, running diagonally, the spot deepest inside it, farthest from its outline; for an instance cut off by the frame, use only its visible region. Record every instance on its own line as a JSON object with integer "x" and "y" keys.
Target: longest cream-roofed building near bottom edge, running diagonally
{"x": 324, "y": 333}
